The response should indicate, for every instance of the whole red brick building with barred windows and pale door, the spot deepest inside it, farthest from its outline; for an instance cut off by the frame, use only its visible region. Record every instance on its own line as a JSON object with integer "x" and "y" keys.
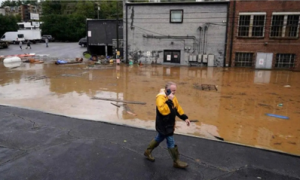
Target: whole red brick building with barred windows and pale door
{"x": 265, "y": 34}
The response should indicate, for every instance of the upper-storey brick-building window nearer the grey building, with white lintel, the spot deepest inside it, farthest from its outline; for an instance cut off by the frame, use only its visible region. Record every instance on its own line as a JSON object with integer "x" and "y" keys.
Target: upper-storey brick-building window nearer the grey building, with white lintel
{"x": 251, "y": 24}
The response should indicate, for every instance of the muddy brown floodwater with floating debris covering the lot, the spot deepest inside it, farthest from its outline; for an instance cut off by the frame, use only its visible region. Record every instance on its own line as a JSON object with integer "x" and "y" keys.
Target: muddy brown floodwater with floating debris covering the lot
{"x": 235, "y": 111}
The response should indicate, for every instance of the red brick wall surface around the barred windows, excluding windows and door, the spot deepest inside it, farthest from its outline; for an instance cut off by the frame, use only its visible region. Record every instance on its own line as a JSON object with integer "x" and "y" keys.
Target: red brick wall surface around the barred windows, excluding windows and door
{"x": 266, "y": 44}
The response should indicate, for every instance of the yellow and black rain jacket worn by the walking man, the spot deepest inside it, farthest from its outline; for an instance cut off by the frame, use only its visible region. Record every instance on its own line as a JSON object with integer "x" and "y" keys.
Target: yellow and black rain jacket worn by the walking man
{"x": 166, "y": 112}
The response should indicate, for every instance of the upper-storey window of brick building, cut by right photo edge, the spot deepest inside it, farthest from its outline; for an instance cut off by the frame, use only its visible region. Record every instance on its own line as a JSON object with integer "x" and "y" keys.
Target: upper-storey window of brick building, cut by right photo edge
{"x": 285, "y": 25}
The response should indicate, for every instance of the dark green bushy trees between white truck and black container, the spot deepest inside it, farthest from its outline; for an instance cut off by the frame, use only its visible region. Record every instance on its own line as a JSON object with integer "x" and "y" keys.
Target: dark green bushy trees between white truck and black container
{"x": 64, "y": 27}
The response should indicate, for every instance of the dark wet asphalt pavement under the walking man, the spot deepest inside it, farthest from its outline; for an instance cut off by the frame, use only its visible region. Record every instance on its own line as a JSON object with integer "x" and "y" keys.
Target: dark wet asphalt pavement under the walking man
{"x": 37, "y": 145}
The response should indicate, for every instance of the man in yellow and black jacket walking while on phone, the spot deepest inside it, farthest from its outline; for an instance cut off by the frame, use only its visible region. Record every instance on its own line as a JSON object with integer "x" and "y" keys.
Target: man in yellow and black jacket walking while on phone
{"x": 167, "y": 108}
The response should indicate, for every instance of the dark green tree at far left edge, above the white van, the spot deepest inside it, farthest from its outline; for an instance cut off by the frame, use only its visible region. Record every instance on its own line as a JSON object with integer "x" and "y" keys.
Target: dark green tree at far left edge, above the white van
{"x": 8, "y": 23}
